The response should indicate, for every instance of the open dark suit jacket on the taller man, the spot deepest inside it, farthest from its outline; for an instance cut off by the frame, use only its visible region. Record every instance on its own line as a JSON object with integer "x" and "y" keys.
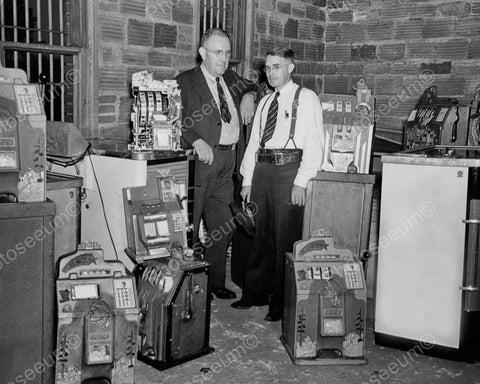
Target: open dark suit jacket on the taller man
{"x": 200, "y": 115}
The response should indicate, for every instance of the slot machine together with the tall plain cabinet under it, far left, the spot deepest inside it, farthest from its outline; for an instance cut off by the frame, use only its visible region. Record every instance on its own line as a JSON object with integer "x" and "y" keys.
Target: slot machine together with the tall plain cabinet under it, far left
{"x": 26, "y": 246}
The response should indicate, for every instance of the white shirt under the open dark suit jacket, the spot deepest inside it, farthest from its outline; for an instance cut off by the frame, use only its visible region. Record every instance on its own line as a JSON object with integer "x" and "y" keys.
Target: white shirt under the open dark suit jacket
{"x": 230, "y": 131}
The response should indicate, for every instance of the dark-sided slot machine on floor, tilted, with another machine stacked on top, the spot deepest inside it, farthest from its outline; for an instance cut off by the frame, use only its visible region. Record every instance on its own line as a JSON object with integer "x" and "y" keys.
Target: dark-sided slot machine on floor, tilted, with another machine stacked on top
{"x": 174, "y": 299}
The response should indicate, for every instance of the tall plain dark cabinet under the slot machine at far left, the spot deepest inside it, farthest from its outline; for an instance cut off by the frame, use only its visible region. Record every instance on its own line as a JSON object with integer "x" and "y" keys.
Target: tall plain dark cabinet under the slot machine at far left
{"x": 27, "y": 294}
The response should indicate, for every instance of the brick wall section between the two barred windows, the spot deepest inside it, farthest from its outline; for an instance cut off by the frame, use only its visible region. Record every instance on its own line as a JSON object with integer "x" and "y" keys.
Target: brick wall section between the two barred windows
{"x": 134, "y": 35}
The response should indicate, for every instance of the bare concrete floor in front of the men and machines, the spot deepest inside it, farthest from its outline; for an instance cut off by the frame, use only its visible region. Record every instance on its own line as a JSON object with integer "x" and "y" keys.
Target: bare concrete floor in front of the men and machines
{"x": 248, "y": 351}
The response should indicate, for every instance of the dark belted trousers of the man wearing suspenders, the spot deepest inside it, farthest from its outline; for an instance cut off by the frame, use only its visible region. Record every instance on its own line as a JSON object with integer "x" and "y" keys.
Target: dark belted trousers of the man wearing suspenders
{"x": 278, "y": 226}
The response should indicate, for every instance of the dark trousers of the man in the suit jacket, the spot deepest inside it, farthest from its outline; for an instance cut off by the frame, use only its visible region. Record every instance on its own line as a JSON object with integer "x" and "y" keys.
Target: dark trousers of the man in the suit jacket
{"x": 211, "y": 202}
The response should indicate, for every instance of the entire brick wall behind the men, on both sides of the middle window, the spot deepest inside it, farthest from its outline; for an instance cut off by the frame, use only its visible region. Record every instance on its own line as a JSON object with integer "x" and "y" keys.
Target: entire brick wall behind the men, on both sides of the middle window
{"x": 399, "y": 47}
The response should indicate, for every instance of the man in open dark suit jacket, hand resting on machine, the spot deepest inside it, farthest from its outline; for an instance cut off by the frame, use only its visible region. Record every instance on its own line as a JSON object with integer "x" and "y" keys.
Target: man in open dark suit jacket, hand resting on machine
{"x": 216, "y": 102}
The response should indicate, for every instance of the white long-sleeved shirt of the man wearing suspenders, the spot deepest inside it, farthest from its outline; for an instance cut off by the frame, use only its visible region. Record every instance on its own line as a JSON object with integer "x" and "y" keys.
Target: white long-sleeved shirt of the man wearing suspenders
{"x": 309, "y": 133}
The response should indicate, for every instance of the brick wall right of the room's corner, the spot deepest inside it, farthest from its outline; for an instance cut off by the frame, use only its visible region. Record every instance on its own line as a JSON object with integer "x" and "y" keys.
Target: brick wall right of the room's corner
{"x": 400, "y": 47}
